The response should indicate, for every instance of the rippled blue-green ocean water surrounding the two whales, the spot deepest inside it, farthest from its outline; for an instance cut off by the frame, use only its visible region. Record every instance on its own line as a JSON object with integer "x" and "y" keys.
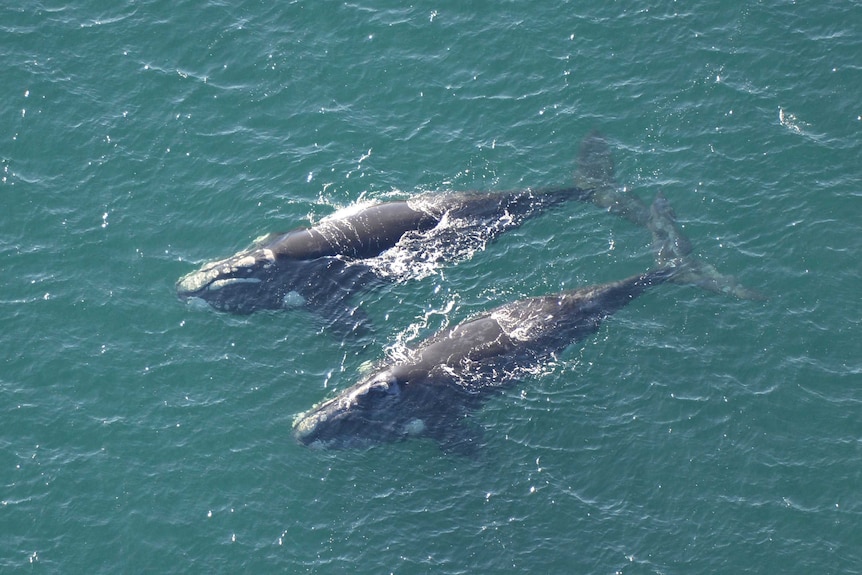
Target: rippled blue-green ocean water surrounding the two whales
{"x": 695, "y": 433}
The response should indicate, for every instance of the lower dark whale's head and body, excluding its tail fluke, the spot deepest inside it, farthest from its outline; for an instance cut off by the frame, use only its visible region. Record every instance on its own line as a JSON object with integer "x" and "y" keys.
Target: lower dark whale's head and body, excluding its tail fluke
{"x": 433, "y": 388}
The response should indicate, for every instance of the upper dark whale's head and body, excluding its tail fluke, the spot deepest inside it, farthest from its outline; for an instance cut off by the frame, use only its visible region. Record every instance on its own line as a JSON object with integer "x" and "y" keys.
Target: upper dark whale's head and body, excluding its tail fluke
{"x": 320, "y": 267}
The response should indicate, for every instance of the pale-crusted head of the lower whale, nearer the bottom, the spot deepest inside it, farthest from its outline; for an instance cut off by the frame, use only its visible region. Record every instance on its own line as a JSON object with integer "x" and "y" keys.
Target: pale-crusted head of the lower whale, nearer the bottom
{"x": 377, "y": 409}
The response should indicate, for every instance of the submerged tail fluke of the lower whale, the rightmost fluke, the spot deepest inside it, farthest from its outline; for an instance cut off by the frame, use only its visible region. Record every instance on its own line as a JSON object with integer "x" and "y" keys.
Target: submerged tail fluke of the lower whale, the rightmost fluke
{"x": 673, "y": 252}
